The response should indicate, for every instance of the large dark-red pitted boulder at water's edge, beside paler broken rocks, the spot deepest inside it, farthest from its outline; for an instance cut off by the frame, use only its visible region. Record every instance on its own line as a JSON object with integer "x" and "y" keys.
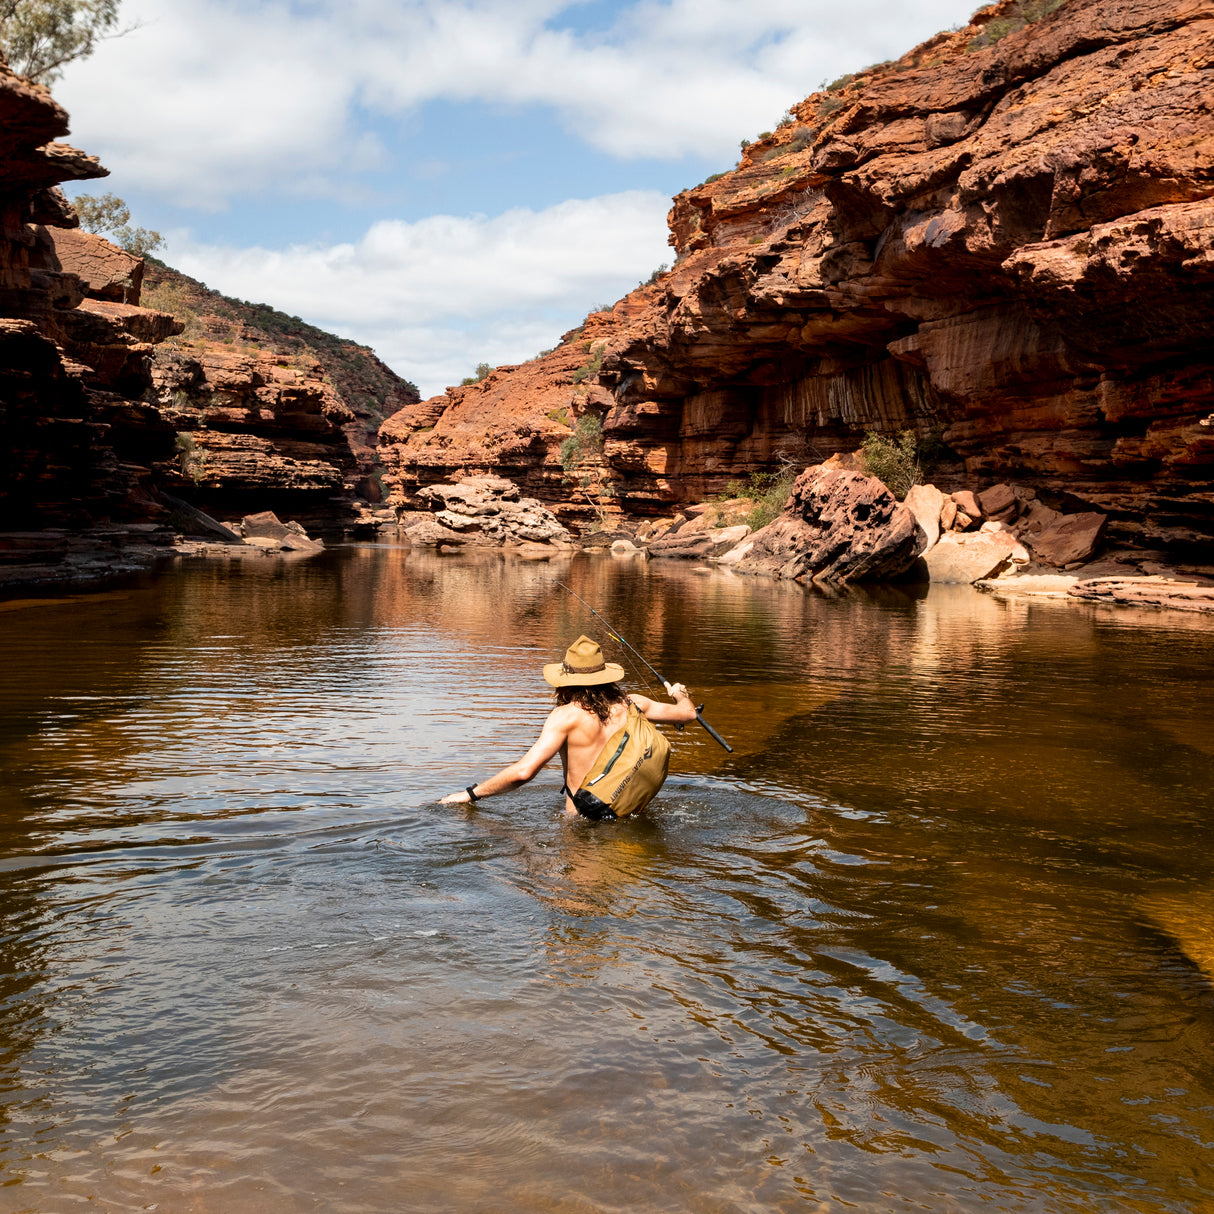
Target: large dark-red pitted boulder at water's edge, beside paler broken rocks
{"x": 838, "y": 527}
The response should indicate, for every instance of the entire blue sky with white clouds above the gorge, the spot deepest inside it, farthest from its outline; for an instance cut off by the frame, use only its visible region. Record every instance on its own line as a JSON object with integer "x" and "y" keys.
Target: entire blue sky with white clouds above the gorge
{"x": 447, "y": 181}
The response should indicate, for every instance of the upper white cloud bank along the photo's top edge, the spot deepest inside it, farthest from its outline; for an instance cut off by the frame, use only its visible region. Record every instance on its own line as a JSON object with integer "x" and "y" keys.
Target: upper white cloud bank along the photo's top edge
{"x": 214, "y": 99}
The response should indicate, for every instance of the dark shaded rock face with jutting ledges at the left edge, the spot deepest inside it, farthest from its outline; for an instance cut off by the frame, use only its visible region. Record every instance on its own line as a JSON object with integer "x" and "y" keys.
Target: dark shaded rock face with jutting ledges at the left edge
{"x": 77, "y": 443}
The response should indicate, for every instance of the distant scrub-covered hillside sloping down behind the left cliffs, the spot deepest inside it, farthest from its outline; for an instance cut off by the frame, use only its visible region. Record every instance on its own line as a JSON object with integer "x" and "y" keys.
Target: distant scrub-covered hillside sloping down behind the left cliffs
{"x": 372, "y": 390}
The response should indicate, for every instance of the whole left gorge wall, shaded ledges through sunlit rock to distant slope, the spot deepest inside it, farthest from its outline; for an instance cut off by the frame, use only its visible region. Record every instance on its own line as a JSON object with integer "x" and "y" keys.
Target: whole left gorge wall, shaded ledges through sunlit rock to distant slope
{"x": 107, "y": 405}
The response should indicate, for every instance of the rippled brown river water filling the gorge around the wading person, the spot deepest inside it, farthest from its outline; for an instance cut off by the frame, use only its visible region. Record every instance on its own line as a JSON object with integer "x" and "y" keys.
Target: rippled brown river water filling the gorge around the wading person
{"x": 931, "y": 940}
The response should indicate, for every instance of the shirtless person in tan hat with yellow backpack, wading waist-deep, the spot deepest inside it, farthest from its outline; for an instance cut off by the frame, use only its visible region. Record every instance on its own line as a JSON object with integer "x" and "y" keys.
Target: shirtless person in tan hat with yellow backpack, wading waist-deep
{"x": 615, "y": 761}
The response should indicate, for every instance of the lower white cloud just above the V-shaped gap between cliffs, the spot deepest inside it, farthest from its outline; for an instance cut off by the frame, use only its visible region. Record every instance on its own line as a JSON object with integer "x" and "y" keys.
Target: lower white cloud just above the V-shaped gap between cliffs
{"x": 438, "y": 297}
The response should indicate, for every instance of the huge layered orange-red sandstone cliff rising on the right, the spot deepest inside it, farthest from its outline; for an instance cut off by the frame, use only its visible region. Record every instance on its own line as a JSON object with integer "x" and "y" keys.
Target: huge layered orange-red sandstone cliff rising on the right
{"x": 1003, "y": 241}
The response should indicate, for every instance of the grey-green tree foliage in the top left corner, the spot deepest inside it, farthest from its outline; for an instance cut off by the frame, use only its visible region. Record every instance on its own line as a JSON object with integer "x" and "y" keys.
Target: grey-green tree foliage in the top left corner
{"x": 38, "y": 38}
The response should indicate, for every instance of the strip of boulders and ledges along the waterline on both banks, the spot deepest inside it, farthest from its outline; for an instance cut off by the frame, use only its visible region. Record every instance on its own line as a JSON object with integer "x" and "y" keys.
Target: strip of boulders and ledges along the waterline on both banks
{"x": 839, "y": 529}
